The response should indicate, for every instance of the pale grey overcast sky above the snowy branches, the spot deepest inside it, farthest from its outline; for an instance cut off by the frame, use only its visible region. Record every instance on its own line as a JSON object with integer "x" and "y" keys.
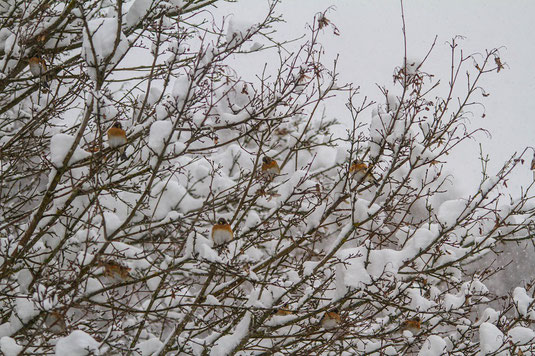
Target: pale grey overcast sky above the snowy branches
{"x": 370, "y": 46}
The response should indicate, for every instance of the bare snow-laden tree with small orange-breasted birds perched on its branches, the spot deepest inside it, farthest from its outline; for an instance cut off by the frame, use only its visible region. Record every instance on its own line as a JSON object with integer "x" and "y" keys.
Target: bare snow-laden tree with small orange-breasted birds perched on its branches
{"x": 128, "y": 139}
